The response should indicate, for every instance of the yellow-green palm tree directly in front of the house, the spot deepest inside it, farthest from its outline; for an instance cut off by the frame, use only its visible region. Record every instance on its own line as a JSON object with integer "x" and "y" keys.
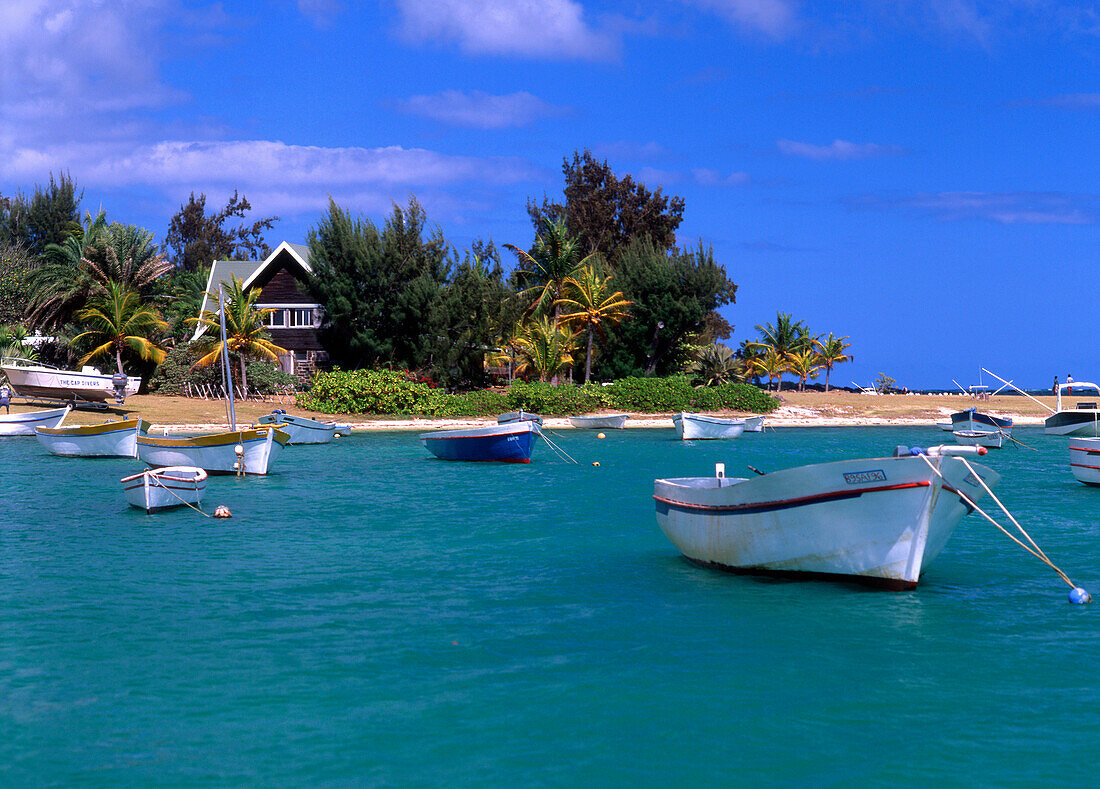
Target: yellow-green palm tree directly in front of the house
{"x": 245, "y": 331}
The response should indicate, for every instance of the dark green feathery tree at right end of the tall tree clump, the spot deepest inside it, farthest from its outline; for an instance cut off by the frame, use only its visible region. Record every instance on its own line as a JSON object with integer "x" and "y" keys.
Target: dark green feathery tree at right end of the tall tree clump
{"x": 675, "y": 295}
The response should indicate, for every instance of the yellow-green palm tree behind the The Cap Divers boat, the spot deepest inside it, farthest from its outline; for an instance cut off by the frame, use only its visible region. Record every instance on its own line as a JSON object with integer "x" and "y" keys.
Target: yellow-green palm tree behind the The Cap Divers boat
{"x": 119, "y": 321}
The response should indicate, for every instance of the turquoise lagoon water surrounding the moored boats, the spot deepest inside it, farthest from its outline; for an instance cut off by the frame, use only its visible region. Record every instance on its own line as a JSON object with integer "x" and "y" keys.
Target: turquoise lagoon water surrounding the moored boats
{"x": 375, "y": 617}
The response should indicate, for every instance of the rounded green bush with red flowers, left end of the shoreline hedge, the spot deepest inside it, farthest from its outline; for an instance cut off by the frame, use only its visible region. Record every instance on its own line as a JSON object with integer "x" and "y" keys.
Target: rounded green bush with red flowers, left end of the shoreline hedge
{"x": 369, "y": 392}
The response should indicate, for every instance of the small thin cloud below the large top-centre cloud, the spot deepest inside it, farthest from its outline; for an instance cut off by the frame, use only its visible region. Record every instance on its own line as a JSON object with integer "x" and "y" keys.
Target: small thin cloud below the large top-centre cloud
{"x": 480, "y": 111}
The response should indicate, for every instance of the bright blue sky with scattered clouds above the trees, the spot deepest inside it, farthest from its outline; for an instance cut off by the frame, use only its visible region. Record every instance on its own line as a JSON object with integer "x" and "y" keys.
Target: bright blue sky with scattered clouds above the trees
{"x": 921, "y": 177}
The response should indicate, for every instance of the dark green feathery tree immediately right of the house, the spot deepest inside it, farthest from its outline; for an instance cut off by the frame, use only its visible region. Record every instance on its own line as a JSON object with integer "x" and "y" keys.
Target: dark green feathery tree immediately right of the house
{"x": 381, "y": 290}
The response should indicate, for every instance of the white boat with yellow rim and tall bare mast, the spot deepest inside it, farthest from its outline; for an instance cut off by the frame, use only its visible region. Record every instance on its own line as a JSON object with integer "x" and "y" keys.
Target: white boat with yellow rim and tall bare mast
{"x": 217, "y": 454}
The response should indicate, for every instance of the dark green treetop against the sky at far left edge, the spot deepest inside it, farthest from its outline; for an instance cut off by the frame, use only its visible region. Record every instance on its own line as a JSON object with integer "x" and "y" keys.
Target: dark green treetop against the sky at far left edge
{"x": 50, "y": 216}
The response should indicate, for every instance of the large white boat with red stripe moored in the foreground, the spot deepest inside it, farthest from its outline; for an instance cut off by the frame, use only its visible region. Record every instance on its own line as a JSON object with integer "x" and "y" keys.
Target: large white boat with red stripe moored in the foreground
{"x": 879, "y": 521}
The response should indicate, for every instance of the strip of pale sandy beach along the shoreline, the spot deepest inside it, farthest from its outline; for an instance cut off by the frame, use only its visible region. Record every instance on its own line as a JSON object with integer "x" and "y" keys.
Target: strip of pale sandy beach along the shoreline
{"x": 837, "y": 409}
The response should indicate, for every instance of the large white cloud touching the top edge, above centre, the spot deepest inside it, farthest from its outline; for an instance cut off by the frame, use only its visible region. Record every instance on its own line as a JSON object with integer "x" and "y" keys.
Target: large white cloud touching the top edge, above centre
{"x": 536, "y": 29}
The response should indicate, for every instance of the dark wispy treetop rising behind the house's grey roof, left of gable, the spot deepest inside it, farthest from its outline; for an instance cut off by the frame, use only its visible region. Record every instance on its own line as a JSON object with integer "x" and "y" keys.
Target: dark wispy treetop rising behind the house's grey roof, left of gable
{"x": 199, "y": 240}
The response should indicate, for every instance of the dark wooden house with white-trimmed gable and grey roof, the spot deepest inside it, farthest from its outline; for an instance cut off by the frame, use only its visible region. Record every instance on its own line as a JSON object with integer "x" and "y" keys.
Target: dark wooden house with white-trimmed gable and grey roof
{"x": 295, "y": 319}
